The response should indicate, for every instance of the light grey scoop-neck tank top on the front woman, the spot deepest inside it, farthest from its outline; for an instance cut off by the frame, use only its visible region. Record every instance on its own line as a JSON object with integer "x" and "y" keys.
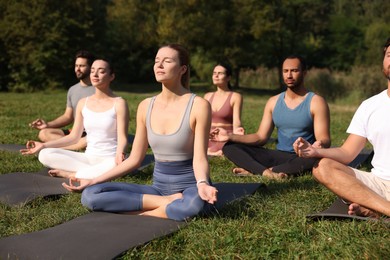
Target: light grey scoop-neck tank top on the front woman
{"x": 178, "y": 146}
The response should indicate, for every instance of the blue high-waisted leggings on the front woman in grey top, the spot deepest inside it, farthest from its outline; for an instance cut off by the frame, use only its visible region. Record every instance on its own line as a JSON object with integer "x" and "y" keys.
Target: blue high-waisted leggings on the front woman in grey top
{"x": 168, "y": 178}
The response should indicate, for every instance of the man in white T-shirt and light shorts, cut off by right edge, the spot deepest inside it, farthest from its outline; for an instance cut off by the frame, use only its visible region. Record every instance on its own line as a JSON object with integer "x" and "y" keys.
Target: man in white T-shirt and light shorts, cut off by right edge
{"x": 367, "y": 192}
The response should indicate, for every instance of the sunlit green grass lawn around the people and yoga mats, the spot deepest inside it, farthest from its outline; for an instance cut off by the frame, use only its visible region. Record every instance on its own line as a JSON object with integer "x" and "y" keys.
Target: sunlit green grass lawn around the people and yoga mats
{"x": 269, "y": 225}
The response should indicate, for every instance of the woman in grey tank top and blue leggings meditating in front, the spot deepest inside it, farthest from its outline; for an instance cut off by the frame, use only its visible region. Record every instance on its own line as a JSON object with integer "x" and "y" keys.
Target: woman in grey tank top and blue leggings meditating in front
{"x": 176, "y": 125}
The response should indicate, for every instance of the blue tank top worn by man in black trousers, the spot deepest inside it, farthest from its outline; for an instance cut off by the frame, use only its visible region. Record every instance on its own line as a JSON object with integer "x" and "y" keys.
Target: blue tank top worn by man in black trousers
{"x": 293, "y": 123}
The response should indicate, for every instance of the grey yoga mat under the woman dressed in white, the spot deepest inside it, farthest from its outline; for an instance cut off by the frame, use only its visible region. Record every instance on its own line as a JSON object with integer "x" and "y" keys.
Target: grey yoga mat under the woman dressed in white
{"x": 22, "y": 187}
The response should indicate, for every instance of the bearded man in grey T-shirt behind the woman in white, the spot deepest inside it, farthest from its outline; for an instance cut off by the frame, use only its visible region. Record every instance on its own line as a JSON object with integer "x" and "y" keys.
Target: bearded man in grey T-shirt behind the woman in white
{"x": 52, "y": 130}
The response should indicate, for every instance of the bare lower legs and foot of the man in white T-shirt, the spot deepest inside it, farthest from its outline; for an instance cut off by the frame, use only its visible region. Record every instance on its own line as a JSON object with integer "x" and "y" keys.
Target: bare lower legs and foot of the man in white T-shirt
{"x": 341, "y": 180}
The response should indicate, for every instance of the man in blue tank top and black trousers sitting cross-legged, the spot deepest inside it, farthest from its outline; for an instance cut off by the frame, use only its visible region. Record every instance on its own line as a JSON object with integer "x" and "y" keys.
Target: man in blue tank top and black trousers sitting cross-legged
{"x": 295, "y": 113}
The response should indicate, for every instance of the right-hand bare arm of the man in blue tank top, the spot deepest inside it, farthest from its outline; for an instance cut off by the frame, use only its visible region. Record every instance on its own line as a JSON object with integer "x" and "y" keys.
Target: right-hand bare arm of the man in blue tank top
{"x": 321, "y": 120}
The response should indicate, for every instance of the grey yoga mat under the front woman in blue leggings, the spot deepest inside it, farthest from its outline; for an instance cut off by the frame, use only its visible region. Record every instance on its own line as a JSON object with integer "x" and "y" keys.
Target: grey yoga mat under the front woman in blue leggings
{"x": 100, "y": 235}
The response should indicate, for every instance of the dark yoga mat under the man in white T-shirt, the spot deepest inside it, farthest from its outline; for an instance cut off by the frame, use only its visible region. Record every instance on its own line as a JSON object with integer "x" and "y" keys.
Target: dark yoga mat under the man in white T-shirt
{"x": 338, "y": 210}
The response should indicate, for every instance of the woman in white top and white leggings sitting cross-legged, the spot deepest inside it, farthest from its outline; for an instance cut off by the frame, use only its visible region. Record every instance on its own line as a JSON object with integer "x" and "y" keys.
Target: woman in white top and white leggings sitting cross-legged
{"x": 105, "y": 117}
